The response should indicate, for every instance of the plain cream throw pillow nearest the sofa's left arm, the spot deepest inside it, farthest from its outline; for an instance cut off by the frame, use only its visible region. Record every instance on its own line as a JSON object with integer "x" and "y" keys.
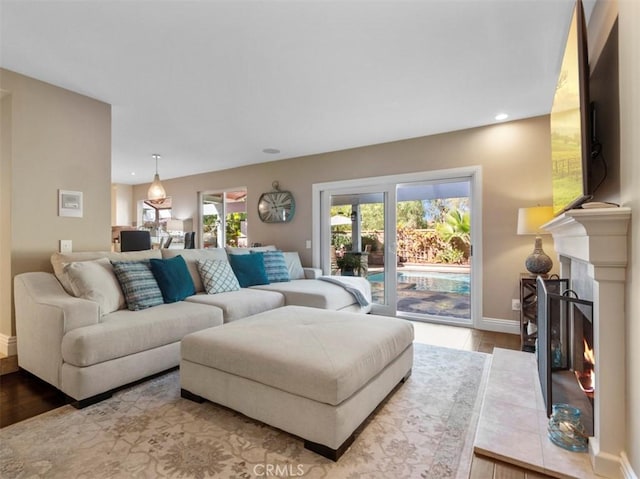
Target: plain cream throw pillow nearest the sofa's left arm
{"x": 96, "y": 281}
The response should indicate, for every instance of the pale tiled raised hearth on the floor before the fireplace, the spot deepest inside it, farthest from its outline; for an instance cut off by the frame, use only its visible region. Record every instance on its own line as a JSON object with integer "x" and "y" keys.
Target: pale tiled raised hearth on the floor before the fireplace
{"x": 513, "y": 422}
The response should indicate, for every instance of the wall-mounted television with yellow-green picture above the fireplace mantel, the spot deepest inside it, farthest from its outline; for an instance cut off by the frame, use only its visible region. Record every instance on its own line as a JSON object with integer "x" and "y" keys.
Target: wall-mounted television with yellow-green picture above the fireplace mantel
{"x": 571, "y": 127}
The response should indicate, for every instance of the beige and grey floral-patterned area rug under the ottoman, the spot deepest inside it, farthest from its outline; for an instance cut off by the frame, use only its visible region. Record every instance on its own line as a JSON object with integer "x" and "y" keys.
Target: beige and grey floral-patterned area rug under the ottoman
{"x": 424, "y": 430}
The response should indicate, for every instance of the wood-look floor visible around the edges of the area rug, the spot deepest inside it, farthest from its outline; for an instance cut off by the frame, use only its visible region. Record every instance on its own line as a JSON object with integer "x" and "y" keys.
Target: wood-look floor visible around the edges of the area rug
{"x": 22, "y": 395}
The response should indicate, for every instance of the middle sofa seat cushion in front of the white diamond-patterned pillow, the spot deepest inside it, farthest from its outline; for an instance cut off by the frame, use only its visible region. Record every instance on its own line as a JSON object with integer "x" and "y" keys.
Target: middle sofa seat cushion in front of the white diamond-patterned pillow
{"x": 242, "y": 303}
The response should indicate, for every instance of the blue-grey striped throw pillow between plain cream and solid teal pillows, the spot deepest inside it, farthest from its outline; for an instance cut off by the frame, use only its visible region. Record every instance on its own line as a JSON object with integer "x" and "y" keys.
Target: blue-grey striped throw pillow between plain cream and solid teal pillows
{"x": 138, "y": 284}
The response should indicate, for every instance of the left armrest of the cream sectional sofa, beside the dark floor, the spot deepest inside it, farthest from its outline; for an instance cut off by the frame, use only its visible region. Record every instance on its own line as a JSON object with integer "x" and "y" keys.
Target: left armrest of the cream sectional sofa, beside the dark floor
{"x": 44, "y": 313}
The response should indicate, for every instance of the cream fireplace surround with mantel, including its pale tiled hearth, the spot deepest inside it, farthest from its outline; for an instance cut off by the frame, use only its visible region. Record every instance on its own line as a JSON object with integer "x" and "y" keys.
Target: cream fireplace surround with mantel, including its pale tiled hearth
{"x": 592, "y": 249}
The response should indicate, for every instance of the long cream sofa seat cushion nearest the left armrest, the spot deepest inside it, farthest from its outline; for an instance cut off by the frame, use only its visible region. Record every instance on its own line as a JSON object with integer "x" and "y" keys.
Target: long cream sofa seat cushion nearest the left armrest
{"x": 123, "y": 332}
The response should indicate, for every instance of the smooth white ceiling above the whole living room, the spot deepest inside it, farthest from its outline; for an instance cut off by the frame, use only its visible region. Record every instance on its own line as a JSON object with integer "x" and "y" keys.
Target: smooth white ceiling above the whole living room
{"x": 211, "y": 84}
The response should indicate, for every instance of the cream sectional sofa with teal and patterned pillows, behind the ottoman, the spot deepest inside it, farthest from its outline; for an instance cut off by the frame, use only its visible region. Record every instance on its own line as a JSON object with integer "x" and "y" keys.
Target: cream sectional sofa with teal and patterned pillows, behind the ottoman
{"x": 97, "y": 323}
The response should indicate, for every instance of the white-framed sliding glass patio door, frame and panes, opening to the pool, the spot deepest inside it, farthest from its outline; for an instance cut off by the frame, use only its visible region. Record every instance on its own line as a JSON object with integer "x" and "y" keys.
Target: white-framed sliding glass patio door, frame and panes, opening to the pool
{"x": 412, "y": 237}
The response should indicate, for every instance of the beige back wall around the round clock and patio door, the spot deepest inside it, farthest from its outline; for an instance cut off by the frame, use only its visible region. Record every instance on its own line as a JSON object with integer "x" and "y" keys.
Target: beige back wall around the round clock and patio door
{"x": 516, "y": 172}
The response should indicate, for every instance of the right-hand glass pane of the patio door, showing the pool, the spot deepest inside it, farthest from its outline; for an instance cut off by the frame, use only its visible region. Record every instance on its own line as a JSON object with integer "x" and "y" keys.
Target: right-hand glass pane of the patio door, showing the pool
{"x": 433, "y": 231}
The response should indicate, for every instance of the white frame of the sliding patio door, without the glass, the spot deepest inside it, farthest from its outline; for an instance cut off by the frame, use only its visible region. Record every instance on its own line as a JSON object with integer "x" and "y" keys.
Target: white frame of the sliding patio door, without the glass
{"x": 321, "y": 223}
